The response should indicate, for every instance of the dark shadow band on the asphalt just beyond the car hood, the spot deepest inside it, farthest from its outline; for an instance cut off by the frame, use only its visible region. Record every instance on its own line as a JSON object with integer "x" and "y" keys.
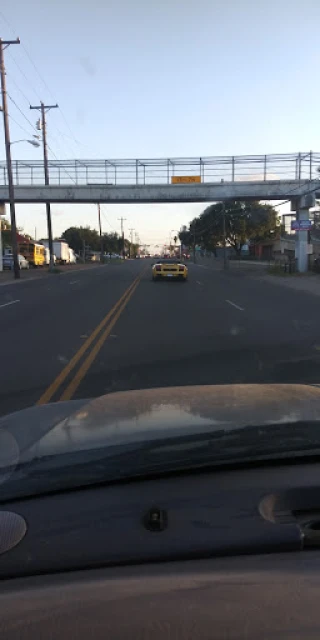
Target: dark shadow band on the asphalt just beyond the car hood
{"x": 284, "y": 364}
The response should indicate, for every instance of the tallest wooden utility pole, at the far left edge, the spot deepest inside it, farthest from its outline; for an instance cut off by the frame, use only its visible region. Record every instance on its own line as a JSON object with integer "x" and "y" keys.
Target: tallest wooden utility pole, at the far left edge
{"x": 3, "y": 45}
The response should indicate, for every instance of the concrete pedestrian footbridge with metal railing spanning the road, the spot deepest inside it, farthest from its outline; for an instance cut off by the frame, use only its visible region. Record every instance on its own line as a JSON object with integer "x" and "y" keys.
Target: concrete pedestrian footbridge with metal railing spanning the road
{"x": 207, "y": 179}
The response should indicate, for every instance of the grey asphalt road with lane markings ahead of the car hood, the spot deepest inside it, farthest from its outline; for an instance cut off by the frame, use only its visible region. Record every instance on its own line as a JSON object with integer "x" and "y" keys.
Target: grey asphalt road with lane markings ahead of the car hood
{"x": 111, "y": 328}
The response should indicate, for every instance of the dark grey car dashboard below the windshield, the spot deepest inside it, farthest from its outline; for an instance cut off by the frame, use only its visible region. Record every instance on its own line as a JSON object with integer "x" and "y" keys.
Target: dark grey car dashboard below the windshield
{"x": 227, "y": 554}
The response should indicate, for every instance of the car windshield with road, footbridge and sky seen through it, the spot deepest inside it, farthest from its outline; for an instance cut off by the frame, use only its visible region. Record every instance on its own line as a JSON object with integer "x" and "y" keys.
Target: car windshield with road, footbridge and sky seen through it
{"x": 159, "y": 229}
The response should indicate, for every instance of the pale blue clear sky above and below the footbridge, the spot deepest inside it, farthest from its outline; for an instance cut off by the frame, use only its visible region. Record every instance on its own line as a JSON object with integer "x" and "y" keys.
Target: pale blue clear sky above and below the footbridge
{"x": 160, "y": 78}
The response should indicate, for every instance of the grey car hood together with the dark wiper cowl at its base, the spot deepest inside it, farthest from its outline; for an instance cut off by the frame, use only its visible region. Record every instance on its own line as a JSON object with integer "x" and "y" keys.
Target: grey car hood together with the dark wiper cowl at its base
{"x": 64, "y": 434}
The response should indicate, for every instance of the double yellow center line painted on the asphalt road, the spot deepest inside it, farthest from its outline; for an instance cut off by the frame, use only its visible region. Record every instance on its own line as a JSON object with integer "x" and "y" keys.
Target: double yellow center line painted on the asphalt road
{"x": 106, "y": 325}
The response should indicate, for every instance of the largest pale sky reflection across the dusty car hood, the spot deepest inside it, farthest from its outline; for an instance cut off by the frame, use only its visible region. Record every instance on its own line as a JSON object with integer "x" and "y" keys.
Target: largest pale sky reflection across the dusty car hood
{"x": 175, "y": 411}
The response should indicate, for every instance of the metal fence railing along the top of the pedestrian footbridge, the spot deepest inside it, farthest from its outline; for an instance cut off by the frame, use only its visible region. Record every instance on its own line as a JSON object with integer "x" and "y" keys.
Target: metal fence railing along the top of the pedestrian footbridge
{"x": 297, "y": 166}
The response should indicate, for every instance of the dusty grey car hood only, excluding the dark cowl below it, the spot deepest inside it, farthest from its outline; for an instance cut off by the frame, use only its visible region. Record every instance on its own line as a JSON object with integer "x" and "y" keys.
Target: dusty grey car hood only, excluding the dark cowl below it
{"x": 134, "y": 416}
